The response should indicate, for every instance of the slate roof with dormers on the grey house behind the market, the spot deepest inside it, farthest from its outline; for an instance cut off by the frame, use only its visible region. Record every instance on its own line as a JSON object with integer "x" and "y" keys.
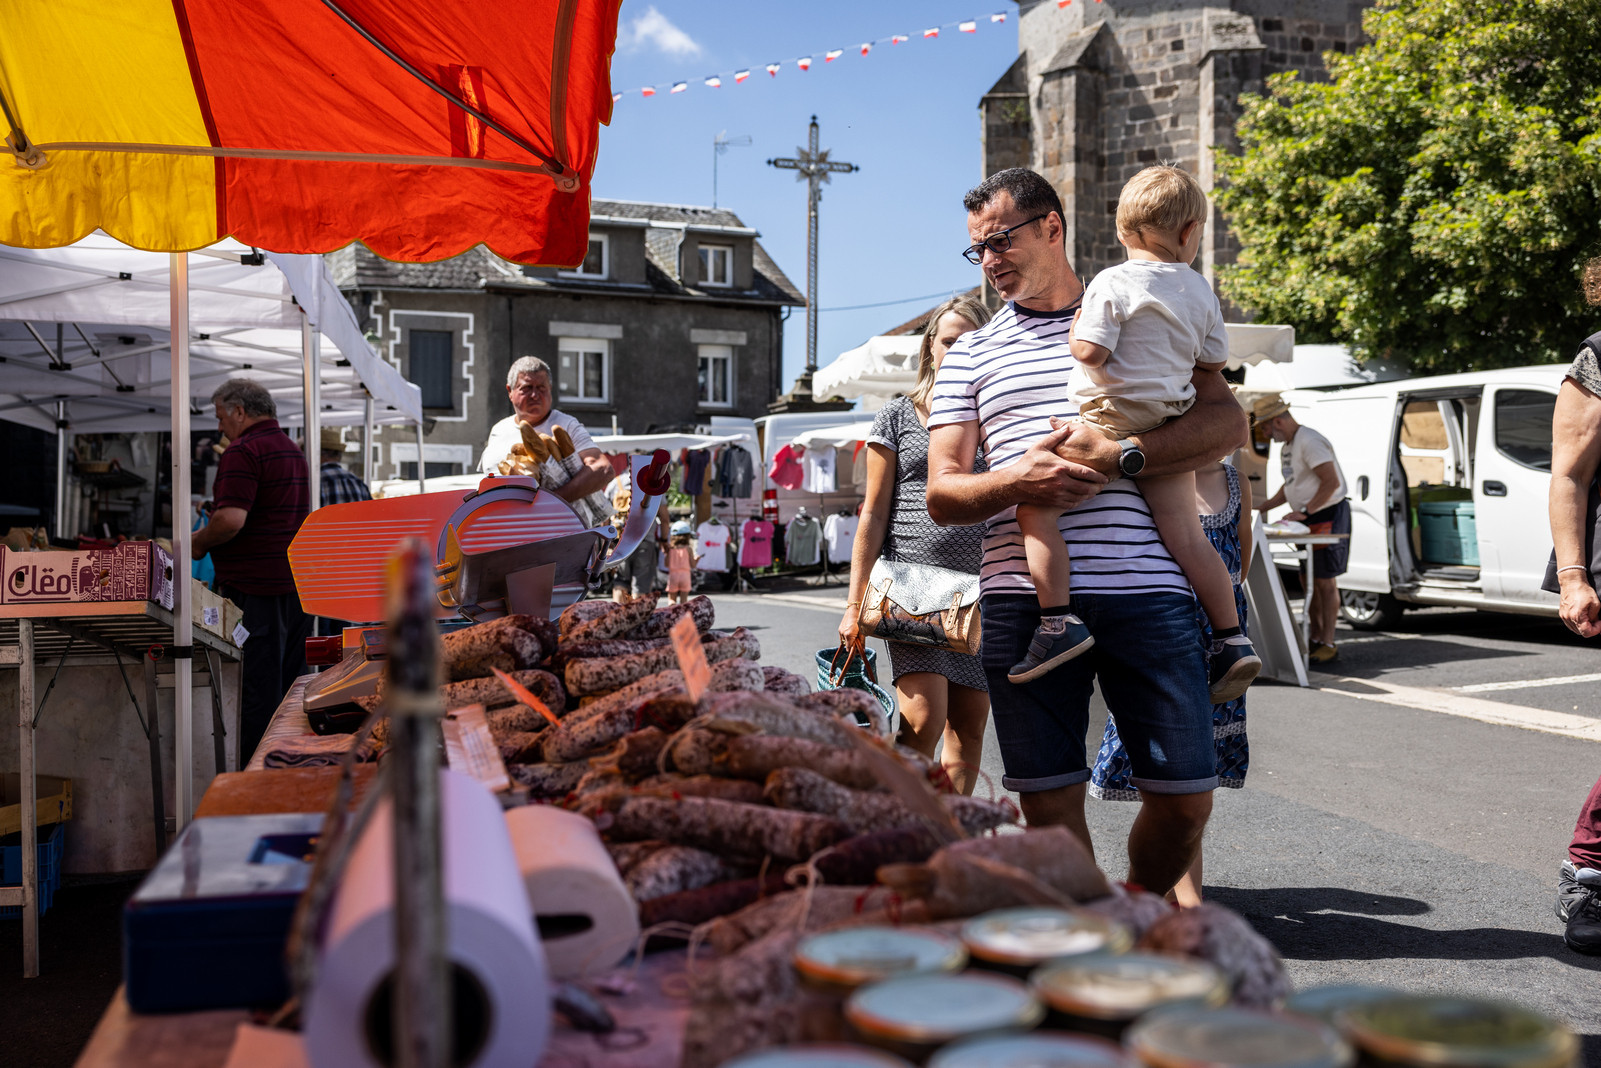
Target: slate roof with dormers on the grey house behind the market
{"x": 358, "y": 268}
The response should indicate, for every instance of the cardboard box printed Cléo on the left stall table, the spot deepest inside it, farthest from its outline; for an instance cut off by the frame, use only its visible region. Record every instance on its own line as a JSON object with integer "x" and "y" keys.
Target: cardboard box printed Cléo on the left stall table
{"x": 135, "y": 571}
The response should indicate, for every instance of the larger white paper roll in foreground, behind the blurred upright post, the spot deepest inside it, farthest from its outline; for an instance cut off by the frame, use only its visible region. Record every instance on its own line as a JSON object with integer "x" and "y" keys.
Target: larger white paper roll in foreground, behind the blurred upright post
{"x": 502, "y": 1006}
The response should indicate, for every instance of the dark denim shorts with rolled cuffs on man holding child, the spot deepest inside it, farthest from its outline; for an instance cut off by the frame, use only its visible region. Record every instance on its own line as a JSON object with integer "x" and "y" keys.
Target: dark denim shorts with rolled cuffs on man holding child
{"x": 1152, "y": 673}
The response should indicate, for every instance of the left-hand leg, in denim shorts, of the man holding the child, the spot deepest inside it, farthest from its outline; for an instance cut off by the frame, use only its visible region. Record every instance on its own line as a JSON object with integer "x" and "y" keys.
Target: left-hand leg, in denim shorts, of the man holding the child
{"x": 1040, "y": 725}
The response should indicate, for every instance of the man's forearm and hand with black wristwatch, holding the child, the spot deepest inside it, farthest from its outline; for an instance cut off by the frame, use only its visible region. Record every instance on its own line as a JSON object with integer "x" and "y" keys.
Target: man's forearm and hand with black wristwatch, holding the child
{"x": 1214, "y": 427}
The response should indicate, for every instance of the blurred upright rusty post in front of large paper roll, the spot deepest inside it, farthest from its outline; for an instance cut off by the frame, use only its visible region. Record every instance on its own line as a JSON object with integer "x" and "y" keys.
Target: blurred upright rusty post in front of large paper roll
{"x": 422, "y": 1014}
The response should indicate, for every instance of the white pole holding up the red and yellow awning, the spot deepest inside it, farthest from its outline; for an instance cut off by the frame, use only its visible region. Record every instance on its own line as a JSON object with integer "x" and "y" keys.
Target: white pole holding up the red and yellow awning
{"x": 183, "y": 625}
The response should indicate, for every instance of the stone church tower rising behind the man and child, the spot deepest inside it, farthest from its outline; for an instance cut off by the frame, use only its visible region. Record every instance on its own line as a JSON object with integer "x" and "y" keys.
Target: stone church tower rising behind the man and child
{"x": 1104, "y": 89}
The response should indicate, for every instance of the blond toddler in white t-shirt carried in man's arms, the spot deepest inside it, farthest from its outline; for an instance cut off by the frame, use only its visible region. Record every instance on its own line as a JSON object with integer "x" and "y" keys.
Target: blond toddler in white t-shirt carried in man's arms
{"x": 1144, "y": 329}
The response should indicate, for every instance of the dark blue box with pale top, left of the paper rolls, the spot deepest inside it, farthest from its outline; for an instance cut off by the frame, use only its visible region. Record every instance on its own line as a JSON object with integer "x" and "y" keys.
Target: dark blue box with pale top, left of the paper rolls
{"x": 207, "y": 926}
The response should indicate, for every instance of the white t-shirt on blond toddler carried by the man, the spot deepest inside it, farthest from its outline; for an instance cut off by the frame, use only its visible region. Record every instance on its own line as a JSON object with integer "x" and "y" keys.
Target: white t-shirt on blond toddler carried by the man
{"x": 1158, "y": 319}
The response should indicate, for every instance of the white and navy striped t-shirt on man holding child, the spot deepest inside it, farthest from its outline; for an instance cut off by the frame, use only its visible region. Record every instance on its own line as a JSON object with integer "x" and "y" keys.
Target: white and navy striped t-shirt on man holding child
{"x": 1011, "y": 377}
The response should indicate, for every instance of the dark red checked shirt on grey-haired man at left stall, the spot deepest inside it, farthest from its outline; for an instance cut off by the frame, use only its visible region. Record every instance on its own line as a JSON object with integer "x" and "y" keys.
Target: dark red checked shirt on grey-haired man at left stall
{"x": 267, "y": 475}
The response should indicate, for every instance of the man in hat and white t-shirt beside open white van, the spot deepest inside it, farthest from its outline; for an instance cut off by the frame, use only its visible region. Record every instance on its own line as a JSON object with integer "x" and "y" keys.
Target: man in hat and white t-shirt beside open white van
{"x": 1315, "y": 489}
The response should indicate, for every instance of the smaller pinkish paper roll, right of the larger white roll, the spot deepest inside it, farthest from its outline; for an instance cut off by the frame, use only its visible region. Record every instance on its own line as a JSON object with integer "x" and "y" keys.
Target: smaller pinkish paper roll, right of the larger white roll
{"x": 585, "y": 915}
